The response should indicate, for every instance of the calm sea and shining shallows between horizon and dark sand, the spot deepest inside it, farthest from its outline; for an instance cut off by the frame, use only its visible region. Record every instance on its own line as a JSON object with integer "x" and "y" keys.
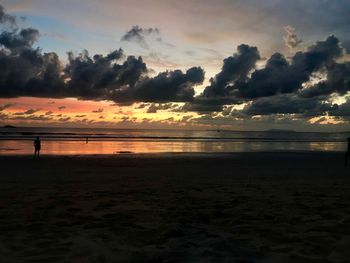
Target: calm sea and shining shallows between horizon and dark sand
{"x": 59, "y": 141}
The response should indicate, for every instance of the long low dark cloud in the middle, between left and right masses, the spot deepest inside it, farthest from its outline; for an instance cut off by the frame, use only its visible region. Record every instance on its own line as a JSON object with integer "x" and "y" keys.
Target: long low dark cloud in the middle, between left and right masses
{"x": 128, "y": 82}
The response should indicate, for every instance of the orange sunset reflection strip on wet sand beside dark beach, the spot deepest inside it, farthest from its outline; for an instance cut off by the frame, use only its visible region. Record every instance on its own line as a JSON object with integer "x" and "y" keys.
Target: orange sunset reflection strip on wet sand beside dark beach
{"x": 113, "y": 147}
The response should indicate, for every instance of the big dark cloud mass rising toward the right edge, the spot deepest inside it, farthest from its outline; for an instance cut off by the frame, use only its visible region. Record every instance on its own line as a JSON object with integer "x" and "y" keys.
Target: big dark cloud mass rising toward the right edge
{"x": 237, "y": 84}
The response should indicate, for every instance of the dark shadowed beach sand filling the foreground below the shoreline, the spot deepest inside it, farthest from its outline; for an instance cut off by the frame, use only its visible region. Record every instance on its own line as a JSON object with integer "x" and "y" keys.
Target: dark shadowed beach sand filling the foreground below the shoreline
{"x": 251, "y": 207}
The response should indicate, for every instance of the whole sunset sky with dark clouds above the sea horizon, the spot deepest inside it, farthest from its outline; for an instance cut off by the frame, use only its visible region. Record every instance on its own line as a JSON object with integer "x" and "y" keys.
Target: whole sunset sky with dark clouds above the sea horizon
{"x": 195, "y": 64}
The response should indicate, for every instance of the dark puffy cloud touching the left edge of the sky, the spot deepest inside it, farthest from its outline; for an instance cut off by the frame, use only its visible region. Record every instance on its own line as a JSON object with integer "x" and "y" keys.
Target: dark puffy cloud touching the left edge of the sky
{"x": 24, "y": 70}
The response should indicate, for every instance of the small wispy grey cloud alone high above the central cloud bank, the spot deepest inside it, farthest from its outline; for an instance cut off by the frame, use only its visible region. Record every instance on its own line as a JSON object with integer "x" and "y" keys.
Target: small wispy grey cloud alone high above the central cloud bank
{"x": 138, "y": 35}
